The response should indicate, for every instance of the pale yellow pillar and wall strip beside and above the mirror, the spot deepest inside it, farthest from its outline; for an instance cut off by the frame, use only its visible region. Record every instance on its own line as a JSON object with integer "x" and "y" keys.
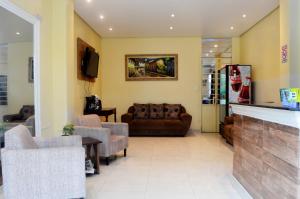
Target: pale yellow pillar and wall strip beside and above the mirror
{"x": 56, "y": 37}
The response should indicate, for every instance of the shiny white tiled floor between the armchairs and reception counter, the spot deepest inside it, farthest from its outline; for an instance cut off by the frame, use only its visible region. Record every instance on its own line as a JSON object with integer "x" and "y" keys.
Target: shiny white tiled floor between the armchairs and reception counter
{"x": 194, "y": 167}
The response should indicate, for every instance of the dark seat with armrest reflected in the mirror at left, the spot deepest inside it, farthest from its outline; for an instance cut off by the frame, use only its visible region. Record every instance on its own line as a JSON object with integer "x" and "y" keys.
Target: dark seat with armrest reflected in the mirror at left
{"x": 25, "y": 112}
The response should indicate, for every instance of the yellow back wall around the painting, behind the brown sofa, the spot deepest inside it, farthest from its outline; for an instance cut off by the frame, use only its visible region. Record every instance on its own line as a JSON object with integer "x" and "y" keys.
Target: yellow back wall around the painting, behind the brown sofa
{"x": 116, "y": 92}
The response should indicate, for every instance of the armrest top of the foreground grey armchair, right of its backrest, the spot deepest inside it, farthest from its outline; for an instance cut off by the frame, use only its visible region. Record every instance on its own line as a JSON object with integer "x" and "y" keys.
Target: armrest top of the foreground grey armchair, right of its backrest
{"x": 62, "y": 141}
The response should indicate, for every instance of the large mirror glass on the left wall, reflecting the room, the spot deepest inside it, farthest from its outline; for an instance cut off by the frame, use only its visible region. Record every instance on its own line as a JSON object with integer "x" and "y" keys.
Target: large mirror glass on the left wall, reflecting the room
{"x": 16, "y": 73}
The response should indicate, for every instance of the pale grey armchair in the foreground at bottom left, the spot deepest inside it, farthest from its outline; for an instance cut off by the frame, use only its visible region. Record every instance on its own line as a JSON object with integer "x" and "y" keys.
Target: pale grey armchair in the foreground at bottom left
{"x": 42, "y": 168}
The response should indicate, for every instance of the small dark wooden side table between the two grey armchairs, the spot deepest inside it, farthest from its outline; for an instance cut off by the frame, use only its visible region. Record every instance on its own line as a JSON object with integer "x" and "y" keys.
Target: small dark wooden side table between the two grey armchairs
{"x": 89, "y": 143}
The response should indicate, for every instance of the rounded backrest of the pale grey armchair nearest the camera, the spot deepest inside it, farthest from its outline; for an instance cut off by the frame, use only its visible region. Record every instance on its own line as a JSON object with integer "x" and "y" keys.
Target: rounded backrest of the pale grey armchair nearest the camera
{"x": 19, "y": 137}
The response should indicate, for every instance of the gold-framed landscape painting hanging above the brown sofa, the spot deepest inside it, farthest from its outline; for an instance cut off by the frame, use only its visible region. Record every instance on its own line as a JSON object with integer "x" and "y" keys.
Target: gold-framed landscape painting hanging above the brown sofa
{"x": 148, "y": 67}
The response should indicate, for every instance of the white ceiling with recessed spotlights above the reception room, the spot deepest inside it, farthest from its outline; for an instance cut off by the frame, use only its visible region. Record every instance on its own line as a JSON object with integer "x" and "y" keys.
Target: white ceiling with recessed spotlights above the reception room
{"x": 151, "y": 18}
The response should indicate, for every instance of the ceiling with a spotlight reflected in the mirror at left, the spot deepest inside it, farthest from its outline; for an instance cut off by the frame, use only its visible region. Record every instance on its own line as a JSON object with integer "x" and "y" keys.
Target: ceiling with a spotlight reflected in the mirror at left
{"x": 10, "y": 24}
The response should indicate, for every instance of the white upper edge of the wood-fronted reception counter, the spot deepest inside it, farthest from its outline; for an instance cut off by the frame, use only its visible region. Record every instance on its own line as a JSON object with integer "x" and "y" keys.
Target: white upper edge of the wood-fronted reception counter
{"x": 269, "y": 113}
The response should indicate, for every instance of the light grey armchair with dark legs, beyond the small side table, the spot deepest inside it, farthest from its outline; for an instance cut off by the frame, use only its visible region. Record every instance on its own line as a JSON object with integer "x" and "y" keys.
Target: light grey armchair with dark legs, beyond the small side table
{"x": 114, "y": 136}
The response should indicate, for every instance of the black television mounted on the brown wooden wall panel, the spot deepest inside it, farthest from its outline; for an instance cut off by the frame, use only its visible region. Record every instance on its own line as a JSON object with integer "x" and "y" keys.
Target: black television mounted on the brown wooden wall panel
{"x": 90, "y": 63}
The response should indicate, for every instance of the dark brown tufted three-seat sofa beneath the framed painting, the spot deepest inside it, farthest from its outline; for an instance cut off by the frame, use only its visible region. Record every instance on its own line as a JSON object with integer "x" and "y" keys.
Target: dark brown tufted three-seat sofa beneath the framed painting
{"x": 157, "y": 120}
